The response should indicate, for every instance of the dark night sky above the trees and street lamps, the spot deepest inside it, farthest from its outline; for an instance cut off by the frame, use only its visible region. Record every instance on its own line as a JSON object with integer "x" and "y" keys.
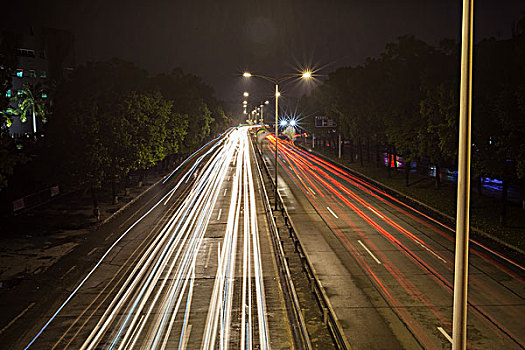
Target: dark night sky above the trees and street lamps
{"x": 218, "y": 39}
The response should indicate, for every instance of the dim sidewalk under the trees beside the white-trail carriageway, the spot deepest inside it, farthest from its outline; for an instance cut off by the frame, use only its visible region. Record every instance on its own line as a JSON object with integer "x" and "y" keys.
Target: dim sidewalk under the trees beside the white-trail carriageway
{"x": 34, "y": 240}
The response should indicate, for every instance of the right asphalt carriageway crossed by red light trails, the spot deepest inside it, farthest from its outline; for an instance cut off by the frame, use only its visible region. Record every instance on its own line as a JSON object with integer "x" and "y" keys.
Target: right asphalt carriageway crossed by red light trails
{"x": 388, "y": 268}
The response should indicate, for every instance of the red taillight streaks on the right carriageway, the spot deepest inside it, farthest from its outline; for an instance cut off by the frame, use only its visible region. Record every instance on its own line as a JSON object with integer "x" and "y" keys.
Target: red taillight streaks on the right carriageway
{"x": 424, "y": 243}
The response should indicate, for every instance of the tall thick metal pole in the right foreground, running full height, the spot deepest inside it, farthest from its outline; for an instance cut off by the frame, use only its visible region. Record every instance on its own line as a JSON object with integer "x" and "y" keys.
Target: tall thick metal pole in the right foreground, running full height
{"x": 459, "y": 319}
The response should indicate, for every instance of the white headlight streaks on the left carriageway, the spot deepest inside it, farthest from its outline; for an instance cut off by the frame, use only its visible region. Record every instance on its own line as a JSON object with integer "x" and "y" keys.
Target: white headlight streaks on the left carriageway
{"x": 150, "y": 307}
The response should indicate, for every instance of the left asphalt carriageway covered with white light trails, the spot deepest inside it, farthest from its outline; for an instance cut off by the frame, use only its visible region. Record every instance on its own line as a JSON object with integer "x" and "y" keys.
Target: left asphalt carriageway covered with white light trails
{"x": 191, "y": 267}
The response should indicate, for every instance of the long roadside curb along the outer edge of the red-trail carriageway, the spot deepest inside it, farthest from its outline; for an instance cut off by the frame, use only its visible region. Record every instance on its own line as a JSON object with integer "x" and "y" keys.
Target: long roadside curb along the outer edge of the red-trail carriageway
{"x": 419, "y": 203}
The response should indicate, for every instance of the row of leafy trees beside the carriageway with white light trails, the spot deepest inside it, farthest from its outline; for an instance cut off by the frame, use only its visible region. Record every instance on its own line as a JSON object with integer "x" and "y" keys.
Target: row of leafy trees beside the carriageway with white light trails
{"x": 110, "y": 118}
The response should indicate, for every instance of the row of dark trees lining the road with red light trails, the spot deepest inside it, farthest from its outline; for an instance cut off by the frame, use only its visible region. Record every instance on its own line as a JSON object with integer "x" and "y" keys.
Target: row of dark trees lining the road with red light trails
{"x": 406, "y": 103}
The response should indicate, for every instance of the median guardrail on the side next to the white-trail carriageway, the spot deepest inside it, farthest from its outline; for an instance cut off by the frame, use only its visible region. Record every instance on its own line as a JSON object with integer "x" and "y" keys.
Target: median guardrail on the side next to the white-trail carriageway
{"x": 283, "y": 263}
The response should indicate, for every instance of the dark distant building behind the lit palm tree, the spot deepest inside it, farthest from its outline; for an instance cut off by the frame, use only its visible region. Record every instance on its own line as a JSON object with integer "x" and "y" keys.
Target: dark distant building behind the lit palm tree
{"x": 44, "y": 57}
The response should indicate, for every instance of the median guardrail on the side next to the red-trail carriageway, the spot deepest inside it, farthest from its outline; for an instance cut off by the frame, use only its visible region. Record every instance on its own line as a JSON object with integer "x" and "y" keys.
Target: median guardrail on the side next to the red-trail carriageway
{"x": 329, "y": 316}
